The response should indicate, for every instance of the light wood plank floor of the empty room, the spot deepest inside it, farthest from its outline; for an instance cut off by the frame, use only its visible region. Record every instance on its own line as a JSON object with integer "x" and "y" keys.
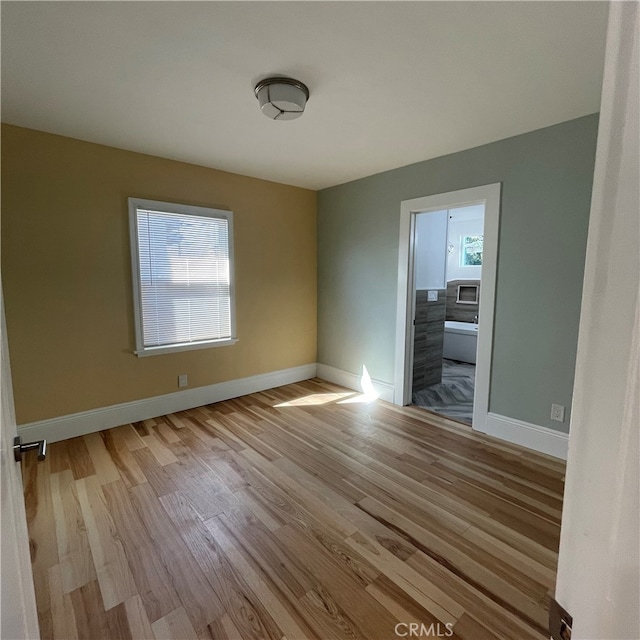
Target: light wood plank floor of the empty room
{"x": 293, "y": 513}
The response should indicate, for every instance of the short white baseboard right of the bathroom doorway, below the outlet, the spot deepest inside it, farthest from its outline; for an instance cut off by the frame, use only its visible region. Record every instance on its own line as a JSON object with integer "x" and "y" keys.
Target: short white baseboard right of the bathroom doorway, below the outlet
{"x": 542, "y": 439}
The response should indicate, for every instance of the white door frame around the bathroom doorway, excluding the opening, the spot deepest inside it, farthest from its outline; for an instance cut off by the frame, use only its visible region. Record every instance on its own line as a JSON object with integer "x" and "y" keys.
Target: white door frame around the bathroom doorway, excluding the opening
{"x": 489, "y": 195}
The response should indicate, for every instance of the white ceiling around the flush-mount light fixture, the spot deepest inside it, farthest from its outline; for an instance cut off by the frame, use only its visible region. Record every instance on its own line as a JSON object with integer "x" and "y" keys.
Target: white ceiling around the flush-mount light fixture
{"x": 391, "y": 83}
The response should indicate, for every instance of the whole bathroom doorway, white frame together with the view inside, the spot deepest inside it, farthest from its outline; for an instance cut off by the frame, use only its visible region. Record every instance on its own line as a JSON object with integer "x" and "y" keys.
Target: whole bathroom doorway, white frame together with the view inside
{"x": 446, "y": 274}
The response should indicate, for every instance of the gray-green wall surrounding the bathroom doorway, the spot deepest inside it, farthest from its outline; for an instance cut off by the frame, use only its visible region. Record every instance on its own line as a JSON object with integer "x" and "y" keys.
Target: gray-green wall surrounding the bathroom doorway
{"x": 546, "y": 178}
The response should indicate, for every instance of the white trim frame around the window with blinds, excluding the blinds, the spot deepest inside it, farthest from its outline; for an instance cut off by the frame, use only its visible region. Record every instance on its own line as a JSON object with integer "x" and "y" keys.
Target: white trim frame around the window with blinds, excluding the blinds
{"x": 168, "y": 207}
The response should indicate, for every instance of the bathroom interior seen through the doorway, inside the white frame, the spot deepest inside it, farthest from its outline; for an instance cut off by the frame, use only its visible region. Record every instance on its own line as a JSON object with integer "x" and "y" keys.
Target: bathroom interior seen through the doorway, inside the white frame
{"x": 448, "y": 273}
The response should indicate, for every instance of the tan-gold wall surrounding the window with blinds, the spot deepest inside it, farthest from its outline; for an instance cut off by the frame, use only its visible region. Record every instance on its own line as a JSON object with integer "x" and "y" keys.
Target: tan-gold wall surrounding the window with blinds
{"x": 66, "y": 271}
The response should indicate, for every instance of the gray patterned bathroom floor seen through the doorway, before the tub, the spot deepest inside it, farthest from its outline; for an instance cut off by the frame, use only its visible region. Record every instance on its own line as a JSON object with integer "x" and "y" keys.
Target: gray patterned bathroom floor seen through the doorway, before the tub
{"x": 453, "y": 397}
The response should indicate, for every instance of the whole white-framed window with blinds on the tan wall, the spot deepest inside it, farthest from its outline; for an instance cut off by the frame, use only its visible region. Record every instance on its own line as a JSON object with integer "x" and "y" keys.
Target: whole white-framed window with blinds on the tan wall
{"x": 182, "y": 259}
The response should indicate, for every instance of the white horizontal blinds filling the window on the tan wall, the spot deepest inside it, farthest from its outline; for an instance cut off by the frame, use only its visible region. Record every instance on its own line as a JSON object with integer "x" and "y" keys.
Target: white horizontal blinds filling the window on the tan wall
{"x": 184, "y": 277}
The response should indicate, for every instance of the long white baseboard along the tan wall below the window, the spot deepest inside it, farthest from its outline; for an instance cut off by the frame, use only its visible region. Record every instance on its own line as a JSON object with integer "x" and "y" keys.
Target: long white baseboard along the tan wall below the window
{"x": 78, "y": 424}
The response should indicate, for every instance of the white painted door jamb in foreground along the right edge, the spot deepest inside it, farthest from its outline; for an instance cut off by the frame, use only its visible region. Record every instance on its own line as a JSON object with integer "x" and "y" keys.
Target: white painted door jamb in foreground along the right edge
{"x": 599, "y": 562}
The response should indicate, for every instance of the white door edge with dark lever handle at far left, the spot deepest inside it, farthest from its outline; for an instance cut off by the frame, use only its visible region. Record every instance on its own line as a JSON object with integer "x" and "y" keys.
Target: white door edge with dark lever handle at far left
{"x": 19, "y": 618}
